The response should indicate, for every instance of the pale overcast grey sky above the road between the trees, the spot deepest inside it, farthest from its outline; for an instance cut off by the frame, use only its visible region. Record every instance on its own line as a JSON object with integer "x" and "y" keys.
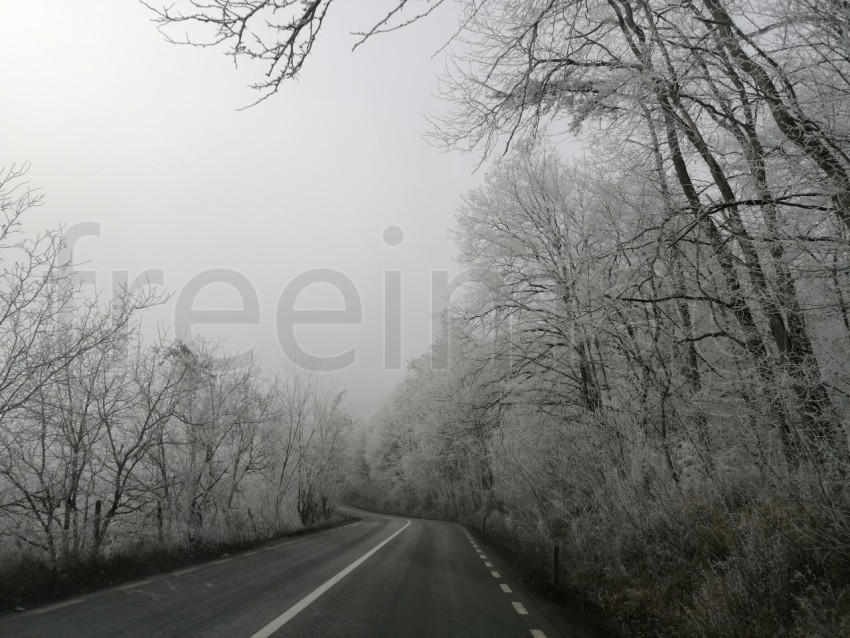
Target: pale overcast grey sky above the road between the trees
{"x": 144, "y": 138}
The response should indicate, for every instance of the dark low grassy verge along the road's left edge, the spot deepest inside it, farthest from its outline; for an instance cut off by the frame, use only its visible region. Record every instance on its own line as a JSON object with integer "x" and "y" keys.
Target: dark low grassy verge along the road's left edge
{"x": 27, "y": 582}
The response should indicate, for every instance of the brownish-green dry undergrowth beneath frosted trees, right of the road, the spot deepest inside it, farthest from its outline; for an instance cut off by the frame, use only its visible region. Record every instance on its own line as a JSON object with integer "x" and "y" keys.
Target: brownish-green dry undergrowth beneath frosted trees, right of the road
{"x": 703, "y": 568}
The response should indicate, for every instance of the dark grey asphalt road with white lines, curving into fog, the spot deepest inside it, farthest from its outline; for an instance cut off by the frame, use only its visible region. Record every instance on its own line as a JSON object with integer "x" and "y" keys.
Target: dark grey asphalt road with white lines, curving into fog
{"x": 380, "y": 576}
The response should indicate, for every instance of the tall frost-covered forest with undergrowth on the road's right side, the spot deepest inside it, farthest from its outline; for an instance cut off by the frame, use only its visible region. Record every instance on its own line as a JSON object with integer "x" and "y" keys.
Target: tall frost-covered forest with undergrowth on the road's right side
{"x": 651, "y": 370}
